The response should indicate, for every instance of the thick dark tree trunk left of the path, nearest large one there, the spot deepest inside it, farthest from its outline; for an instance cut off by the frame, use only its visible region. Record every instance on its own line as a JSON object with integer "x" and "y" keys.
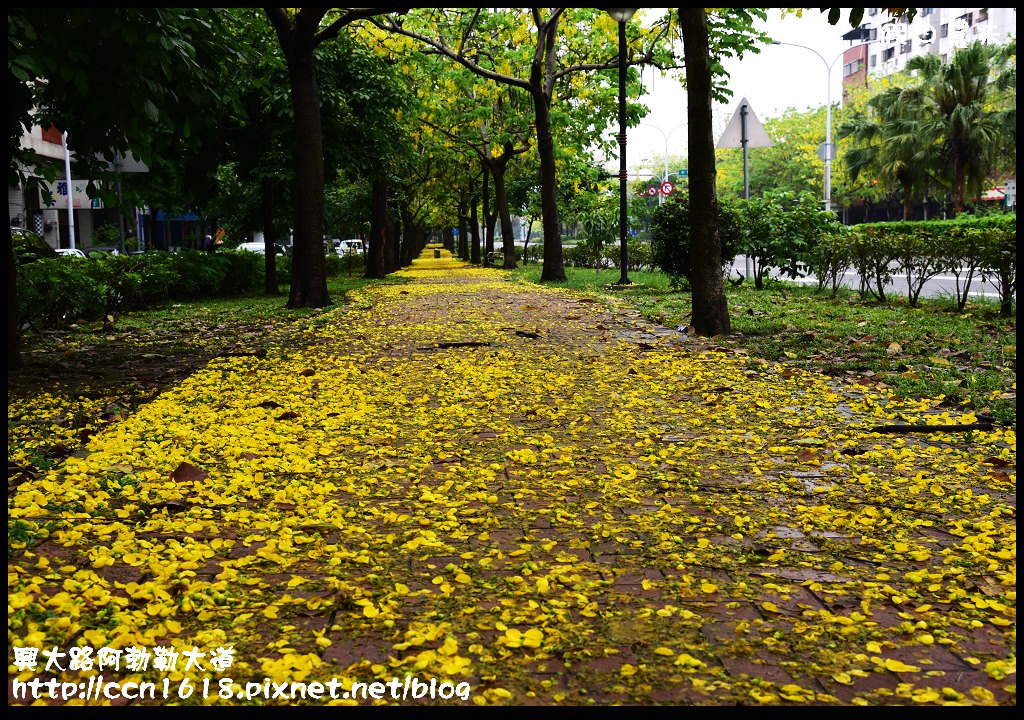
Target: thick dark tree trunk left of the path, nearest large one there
{"x": 310, "y": 262}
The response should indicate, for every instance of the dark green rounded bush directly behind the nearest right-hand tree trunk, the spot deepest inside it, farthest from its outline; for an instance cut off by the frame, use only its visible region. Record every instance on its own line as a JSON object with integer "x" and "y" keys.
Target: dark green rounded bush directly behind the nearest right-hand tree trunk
{"x": 670, "y": 237}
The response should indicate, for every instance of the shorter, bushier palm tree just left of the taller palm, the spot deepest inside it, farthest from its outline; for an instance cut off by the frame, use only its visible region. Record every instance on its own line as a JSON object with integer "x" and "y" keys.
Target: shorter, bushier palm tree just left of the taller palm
{"x": 889, "y": 143}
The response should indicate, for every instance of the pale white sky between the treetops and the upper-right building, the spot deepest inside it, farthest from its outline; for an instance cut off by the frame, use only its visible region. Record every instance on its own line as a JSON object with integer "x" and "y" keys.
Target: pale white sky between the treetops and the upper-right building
{"x": 778, "y": 78}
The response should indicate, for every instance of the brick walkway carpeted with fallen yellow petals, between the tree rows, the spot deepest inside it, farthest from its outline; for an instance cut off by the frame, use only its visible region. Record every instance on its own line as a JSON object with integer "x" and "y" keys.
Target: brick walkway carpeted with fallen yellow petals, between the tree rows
{"x": 513, "y": 487}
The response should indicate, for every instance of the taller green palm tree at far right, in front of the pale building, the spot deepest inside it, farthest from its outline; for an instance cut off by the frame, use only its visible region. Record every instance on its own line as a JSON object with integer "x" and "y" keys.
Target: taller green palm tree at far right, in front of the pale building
{"x": 971, "y": 113}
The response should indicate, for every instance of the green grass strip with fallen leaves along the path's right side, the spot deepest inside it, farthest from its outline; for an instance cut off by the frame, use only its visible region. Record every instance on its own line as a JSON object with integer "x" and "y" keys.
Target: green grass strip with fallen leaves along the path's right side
{"x": 968, "y": 358}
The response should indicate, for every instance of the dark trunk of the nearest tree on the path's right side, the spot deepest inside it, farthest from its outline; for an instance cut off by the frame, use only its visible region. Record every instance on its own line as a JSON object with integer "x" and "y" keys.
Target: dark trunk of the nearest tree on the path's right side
{"x": 711, "y": 311}
